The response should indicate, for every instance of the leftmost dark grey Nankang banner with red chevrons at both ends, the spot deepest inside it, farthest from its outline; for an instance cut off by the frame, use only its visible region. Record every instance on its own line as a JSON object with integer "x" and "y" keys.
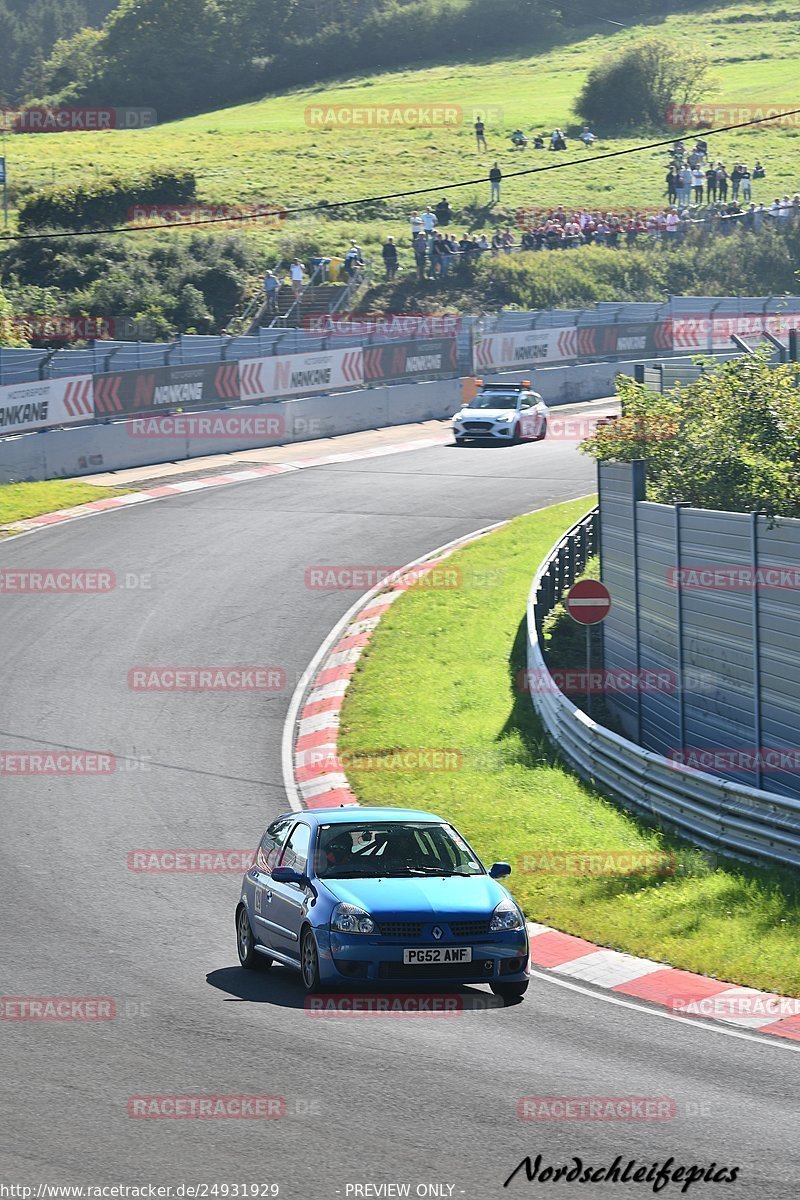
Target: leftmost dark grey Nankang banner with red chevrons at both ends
{"x": 203, "y": 386}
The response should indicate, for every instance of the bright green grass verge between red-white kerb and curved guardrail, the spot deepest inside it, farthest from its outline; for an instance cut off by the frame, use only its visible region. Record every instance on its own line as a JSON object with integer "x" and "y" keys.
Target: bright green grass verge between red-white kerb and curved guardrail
{"x": 442, "y": 671}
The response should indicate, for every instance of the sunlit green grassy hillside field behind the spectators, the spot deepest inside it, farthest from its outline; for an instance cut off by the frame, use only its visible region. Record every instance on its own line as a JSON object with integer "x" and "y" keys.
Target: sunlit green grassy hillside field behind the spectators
{"x": 267, "y": 152}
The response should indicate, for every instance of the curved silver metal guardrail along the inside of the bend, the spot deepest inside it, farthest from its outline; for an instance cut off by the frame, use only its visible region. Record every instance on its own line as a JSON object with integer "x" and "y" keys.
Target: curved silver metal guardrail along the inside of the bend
{"x": 713, "y": 813}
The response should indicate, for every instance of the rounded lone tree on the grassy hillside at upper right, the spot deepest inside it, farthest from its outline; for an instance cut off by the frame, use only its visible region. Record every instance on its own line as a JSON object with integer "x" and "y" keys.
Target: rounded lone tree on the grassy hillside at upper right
{"x": 636, "y": 88}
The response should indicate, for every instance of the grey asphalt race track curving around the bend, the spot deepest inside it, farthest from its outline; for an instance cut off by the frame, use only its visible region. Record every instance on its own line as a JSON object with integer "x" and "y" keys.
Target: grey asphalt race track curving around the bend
{"x": 219, "y": 581}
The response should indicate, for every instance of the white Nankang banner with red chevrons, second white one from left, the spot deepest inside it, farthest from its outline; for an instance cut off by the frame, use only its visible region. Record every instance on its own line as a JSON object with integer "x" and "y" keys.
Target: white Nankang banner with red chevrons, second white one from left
{"x": 300, "y": 375}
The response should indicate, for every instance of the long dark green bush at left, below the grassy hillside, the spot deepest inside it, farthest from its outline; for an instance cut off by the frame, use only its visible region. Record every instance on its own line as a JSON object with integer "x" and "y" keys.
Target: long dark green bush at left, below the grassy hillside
{"x": 107, "y": 203}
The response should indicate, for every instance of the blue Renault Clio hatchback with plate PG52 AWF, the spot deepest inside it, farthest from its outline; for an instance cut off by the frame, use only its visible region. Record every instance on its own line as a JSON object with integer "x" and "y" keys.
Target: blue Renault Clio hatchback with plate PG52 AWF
{"x": 371, "y": 896}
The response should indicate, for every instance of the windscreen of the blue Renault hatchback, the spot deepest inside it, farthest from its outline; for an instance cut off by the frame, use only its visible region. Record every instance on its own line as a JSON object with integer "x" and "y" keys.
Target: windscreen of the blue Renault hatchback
{"x": 390, "y": 850}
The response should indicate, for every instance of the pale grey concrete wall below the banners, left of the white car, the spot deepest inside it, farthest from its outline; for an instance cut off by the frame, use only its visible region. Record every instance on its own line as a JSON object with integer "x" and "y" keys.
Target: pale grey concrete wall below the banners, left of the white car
{"x": 116, "y": 446}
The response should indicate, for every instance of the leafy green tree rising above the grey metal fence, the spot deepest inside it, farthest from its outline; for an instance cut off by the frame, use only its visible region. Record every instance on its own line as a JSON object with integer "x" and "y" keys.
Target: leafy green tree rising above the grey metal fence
{"x": 730, "y": 441}
